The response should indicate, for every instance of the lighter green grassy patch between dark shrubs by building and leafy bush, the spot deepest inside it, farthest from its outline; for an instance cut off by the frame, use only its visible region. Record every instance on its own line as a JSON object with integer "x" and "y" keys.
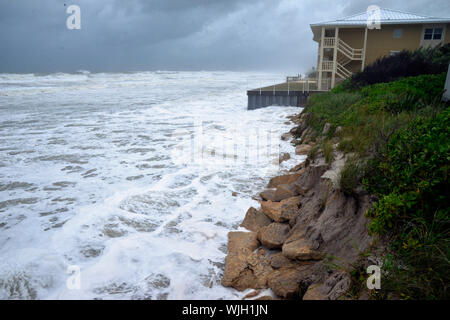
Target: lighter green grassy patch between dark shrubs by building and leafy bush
{"x": 370, "y": 116}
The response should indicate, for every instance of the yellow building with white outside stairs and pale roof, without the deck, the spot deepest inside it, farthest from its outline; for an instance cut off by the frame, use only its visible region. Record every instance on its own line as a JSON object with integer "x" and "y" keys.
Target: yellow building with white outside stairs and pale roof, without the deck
{"x": 349, "y": 44}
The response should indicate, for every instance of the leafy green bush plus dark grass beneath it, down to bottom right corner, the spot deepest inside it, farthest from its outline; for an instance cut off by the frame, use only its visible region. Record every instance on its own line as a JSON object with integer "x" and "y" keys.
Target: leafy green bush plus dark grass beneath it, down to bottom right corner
{"x": 411, "y": 180}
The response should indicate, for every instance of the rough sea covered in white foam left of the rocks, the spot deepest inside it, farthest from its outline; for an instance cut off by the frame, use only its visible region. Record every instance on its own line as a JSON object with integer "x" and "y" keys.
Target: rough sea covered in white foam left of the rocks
{"x": 97, "y": 171}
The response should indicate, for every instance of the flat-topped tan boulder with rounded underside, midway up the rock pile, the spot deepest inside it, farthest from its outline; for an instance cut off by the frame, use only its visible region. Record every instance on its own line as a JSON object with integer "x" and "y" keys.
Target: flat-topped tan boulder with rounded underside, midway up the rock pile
{"x": 282, "y": 211}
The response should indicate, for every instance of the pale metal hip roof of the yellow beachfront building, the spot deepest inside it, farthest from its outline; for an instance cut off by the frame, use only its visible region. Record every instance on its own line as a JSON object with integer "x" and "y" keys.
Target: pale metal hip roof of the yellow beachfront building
{"x": 388, "y": 16}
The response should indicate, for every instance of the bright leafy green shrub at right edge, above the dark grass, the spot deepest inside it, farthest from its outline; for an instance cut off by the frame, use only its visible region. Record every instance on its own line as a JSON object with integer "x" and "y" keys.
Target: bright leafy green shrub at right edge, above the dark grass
{"x": 413, "y": 172}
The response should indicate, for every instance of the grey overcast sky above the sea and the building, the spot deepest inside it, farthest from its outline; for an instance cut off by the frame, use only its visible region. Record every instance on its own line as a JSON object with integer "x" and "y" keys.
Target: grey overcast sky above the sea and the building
{"x": 134, "y": 35}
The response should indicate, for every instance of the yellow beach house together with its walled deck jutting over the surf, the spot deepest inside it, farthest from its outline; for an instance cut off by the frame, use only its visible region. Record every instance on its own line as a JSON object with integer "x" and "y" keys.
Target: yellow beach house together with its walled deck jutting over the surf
{"x": 347, "y": 45}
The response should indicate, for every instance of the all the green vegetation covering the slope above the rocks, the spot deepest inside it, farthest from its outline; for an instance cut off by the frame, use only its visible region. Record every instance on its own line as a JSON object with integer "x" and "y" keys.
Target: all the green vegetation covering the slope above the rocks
{"x": 390, "y": 122}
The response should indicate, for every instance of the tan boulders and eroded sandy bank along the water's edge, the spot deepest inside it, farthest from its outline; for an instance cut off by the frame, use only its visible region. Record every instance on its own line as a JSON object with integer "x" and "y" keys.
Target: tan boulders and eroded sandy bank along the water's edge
{"x": 303, "y": 226}
